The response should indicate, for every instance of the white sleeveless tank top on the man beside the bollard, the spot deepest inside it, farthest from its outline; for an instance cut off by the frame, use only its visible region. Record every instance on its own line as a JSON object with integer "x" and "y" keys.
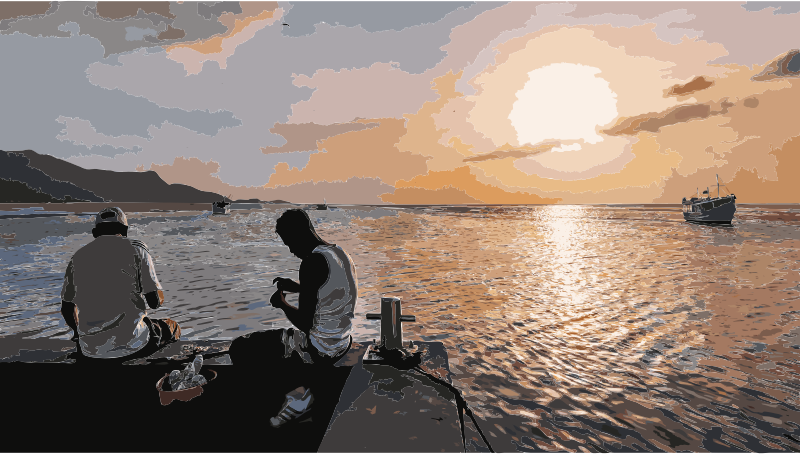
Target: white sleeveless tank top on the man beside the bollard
{"x": 333, "y": 321}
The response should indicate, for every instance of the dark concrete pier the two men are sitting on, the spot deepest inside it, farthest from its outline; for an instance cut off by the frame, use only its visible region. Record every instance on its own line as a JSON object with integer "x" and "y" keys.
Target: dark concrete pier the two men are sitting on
{"x": 55, "y": 404}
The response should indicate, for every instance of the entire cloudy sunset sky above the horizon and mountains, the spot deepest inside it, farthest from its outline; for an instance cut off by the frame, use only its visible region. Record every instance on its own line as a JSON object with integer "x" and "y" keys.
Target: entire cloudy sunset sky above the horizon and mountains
{"x": 414, "y": 102}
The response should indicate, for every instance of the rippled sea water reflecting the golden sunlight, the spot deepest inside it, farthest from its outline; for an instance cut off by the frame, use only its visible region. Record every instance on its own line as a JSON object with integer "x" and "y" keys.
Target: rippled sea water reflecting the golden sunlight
{"x": 578, "y": 328}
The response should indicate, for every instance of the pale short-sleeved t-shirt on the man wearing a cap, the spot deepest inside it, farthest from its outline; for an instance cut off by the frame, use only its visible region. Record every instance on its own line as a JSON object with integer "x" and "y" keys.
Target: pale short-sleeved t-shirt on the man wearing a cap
{"x": 107, "y": 280}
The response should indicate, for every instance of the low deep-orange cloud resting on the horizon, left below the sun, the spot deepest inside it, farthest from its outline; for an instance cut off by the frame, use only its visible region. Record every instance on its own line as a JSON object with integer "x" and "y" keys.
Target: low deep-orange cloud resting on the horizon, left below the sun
{"x": 457, "y": 186}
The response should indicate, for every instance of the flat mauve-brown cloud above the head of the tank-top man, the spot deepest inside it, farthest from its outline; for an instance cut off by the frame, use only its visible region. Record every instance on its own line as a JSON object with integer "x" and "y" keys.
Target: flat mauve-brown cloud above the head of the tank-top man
{"x": 306, "y": 136}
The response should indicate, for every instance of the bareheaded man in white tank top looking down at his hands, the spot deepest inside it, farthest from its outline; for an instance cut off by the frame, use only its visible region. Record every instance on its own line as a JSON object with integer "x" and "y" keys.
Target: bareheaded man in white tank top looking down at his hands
{"x": 323, "y": 320}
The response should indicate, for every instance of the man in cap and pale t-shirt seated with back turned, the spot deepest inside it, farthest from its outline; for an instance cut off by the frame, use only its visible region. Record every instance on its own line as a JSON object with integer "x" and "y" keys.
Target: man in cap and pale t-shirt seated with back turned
{"x": 108, "y": 285}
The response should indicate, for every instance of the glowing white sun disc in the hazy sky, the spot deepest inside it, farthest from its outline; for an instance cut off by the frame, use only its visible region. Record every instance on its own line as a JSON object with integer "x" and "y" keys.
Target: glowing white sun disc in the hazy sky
{"x": 563, "y": 101}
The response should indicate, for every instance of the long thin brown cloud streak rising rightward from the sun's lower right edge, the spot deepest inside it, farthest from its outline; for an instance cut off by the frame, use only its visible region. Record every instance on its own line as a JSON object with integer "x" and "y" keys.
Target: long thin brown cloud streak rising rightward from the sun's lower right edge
{"x": 653, "y": 122}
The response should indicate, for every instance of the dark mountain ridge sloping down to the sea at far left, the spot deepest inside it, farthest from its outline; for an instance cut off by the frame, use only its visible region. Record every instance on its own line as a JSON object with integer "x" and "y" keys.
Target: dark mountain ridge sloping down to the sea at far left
{"x": 27, "y": 176}
